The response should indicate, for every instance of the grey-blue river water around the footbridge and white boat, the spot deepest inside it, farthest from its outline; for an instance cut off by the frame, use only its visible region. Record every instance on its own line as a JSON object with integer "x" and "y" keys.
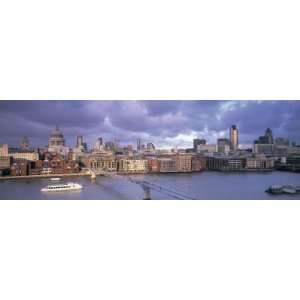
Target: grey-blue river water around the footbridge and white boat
{"x": 206, "y": 185}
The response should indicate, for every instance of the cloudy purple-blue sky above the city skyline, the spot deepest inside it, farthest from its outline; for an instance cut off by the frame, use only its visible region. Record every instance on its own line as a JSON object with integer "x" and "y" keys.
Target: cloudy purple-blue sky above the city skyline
{"x": 166, "y": 123}
